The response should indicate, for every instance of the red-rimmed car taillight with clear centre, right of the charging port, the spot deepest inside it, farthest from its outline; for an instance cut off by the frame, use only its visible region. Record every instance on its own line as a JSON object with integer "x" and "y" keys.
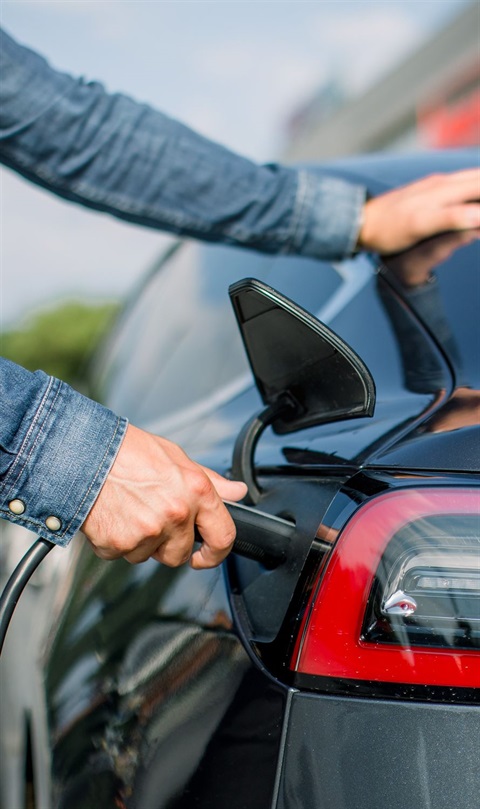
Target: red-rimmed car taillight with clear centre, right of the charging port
{"x": 399, "y": 598}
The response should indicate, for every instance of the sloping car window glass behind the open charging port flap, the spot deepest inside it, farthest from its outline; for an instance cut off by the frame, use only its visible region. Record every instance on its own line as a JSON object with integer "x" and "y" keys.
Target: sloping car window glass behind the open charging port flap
{"x": 179, "y": 343}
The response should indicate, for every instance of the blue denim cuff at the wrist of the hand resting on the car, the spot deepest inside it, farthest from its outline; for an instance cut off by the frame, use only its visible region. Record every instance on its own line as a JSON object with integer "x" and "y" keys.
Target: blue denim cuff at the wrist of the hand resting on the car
{"x": 329, "y": 216}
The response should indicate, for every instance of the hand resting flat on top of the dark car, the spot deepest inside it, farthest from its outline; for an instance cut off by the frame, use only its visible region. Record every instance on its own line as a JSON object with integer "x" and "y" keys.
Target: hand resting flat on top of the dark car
{"x": 442, "y": 202}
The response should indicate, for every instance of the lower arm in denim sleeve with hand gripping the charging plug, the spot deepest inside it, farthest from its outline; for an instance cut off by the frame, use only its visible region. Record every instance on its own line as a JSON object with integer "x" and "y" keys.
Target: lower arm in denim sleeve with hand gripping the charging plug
{"x": 67, "y": 463}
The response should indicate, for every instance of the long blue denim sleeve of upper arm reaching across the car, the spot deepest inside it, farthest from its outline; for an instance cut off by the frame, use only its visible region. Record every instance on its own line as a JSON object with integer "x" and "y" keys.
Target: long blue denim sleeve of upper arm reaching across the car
{"x": 113, "y": 154}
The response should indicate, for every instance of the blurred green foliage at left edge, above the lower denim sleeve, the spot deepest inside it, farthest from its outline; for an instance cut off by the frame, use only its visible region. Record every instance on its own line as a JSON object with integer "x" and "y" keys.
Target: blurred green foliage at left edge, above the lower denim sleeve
{"x": 59, "y": 341}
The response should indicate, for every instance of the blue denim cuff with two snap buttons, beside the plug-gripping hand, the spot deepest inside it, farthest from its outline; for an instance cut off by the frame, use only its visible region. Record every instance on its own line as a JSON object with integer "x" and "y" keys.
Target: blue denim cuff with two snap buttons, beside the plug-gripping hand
{"x": 66, "y": 453}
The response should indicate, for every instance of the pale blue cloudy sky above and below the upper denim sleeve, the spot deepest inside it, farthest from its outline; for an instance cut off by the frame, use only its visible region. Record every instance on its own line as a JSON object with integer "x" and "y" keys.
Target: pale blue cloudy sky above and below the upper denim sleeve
{"x": 235, "y": 71}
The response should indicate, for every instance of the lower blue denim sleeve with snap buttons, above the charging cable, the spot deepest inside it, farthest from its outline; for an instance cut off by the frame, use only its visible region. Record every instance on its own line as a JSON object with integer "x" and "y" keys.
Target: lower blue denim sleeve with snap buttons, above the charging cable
{"x": 56, "y": 449}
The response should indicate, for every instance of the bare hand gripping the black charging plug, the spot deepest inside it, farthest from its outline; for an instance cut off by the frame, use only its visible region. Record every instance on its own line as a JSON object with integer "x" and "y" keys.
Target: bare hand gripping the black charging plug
{"x": 153, "y": 499}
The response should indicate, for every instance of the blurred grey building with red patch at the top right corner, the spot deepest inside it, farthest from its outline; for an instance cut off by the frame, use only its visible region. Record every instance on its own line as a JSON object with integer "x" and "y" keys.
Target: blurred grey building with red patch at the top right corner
{"x": 431, "y": 100}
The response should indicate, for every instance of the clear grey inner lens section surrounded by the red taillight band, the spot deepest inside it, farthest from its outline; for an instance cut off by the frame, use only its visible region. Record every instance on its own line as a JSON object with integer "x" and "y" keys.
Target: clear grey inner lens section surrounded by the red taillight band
{"x": 426, "y": 590}
